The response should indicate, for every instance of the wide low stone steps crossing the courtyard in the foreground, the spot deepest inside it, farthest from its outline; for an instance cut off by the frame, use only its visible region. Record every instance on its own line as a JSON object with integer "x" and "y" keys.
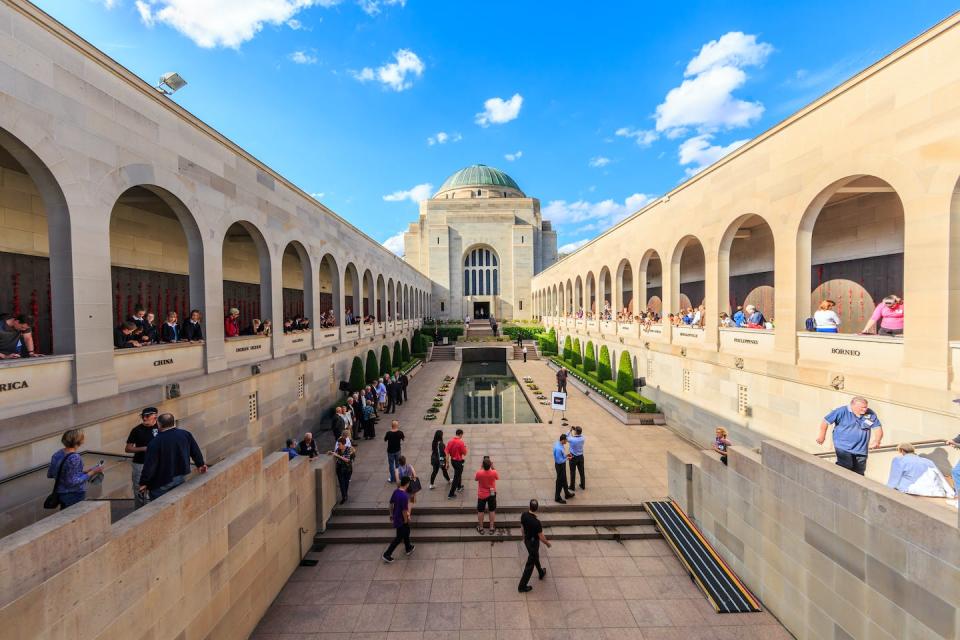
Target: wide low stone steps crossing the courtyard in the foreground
{"x": 352, "y": 525}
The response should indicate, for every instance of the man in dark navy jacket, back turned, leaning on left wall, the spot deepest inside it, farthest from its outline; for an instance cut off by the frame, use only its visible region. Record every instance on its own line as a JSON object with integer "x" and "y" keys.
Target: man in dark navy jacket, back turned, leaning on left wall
{"x": 167, "y": 461}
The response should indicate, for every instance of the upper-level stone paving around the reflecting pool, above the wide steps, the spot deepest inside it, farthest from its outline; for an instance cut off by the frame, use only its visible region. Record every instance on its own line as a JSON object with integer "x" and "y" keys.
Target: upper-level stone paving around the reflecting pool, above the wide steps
{"x": 624, "y": 464}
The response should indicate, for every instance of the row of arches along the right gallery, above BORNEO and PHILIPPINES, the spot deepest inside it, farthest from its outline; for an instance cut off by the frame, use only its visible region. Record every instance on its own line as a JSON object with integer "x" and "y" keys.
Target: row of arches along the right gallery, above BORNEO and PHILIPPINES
{"x": 849, "y": 249}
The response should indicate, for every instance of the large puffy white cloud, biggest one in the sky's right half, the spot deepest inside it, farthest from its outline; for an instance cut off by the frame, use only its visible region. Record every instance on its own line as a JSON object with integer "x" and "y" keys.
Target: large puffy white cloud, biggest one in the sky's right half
{"x": 704, "y": 100}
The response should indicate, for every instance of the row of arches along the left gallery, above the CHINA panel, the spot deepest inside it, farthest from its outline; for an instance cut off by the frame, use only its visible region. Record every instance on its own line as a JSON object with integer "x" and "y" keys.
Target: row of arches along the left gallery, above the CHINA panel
{"x": 161, "y": 260}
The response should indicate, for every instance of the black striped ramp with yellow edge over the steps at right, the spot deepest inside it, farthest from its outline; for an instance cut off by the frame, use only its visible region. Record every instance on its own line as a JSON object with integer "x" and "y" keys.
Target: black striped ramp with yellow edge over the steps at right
{"x": 722, "y": 587}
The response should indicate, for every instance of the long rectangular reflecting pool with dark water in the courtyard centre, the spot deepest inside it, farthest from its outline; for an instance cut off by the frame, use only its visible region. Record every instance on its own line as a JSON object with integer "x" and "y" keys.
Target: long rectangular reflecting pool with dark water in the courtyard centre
{"x": 487, "y": 393}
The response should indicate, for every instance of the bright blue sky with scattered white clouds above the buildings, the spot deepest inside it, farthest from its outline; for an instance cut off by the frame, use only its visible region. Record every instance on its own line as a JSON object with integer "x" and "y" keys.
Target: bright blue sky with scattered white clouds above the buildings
{"x": 593, "y": 109}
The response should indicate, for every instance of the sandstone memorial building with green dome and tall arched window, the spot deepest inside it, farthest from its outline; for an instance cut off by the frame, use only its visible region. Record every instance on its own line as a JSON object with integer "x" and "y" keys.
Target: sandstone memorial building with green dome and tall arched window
{"x": 481, "y": 240}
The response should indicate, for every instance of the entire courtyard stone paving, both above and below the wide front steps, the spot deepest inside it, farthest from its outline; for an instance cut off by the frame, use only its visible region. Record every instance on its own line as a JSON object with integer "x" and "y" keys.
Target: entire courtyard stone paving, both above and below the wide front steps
{"x": 594, "y": 590}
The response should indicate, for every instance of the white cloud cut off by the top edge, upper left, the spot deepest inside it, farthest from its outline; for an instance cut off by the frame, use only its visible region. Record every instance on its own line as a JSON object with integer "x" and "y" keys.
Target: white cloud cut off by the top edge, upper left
{"x": 222, "y": 23}
